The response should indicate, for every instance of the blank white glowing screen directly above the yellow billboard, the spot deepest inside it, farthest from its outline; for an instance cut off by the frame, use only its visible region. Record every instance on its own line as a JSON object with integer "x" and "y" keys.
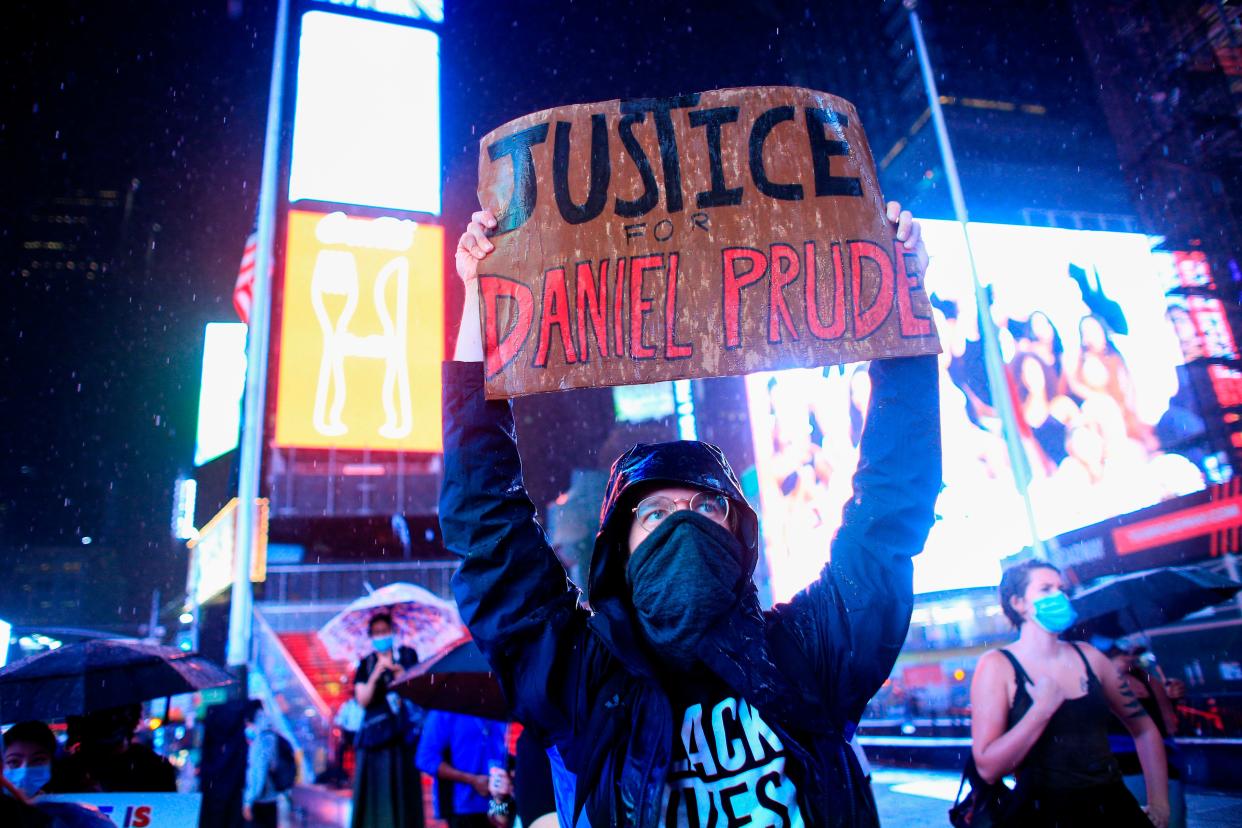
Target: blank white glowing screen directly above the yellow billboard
{"x": 367, "y": 121}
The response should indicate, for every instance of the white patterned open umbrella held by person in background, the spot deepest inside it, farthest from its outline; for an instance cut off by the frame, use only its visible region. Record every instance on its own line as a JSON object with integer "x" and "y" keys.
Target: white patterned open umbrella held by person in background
{"x": 420, "y": 620}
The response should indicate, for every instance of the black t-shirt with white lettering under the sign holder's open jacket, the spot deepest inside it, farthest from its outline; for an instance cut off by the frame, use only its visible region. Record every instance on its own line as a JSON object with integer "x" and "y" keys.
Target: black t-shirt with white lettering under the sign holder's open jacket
{"x": 728, "y": 767}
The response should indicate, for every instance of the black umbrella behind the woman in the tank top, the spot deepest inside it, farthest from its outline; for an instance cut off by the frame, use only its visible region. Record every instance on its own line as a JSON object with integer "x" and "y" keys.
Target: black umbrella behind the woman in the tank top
{"x": 1130, "y": 604}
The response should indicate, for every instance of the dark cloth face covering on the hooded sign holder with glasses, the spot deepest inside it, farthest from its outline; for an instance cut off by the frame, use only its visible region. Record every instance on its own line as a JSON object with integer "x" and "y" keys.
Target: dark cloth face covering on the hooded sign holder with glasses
{"x": 685, "y": 578}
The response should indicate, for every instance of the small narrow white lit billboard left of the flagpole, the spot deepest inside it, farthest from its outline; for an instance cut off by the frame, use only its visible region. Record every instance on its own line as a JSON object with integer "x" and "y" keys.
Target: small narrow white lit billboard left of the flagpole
{"x": 220, "y": 392}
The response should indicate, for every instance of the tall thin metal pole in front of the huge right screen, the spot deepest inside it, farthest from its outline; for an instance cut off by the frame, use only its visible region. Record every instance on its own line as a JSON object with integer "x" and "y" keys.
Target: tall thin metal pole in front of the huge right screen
{"x": 993, "y": 361}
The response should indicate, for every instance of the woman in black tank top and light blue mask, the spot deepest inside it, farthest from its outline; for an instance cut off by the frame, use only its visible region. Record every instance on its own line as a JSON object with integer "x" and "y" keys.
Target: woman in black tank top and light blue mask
{"x": 1041, "y": 708}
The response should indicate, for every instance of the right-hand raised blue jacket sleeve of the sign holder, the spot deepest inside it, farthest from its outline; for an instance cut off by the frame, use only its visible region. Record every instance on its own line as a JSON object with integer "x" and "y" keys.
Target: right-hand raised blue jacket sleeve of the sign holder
{"x": 851, "y": 624}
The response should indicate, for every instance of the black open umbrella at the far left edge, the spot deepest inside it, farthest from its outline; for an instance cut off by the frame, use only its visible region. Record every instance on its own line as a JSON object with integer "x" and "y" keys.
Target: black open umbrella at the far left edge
{"x": 99, "y": 675}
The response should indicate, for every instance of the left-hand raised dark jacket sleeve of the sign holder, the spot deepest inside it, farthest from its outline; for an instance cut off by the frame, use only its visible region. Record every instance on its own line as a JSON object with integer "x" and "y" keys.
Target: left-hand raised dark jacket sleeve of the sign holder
{"x": 511, "y": 589}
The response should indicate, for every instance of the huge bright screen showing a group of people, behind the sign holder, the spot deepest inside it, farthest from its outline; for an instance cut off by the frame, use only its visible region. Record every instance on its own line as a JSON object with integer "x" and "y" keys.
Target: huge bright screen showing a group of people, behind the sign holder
{"x": 1095, "y": 369}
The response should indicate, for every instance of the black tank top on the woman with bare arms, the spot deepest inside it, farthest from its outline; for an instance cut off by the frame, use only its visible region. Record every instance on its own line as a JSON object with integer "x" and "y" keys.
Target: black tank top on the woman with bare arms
{"x": 1074, "y": 752}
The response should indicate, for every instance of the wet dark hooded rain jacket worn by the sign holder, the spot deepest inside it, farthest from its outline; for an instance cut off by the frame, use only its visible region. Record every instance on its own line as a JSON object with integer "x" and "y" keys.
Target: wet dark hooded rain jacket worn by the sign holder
{"x": 587, "y": 682}
